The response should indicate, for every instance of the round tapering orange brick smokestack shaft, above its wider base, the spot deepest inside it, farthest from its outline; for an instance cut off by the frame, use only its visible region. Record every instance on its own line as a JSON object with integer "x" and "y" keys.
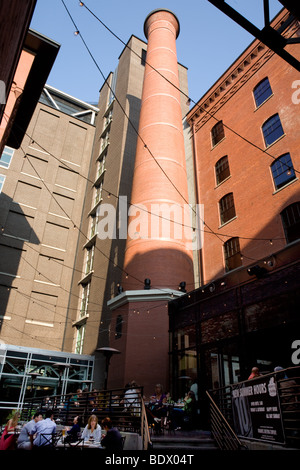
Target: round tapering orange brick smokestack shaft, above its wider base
{"x": 156, "y": 248}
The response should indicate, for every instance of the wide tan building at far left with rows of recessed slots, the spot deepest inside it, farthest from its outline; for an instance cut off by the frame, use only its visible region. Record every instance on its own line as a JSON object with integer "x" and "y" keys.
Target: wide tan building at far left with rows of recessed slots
{"x": 43, "y": 186}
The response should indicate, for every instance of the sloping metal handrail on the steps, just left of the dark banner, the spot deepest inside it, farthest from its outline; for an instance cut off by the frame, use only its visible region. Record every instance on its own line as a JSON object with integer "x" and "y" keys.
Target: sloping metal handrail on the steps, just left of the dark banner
{"x": 225, "y": 437}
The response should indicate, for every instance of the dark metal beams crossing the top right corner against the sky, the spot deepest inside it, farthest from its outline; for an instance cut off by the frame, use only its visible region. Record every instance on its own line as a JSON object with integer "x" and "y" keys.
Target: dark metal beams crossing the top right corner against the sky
{"x": 268, "y": 36}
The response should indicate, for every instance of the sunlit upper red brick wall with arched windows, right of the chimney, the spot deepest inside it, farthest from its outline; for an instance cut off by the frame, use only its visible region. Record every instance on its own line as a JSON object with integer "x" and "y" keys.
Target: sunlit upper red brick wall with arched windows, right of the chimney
{"x": 245, "y": 132}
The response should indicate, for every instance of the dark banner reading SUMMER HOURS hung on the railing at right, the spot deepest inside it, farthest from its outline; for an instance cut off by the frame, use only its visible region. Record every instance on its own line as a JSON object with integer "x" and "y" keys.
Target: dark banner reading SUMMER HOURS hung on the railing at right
{"x": 256, "y": 410}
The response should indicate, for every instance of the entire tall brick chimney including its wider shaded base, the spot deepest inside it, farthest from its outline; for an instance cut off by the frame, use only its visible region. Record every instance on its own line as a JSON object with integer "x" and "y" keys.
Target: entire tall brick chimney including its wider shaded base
{"x": 157, "y": 247}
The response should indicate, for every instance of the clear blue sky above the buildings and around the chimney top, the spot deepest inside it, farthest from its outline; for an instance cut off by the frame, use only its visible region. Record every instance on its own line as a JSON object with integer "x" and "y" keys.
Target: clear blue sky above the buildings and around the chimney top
{"x": 208, "y": 43}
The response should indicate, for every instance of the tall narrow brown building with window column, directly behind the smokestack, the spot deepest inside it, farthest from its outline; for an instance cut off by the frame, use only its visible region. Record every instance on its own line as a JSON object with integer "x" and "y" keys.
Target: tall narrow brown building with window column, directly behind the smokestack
{"x": 101, "y": 248}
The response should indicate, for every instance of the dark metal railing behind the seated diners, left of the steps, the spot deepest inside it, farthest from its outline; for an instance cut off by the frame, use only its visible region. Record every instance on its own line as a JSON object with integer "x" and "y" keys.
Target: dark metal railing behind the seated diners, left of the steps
{"x": 125, "y": 408}
